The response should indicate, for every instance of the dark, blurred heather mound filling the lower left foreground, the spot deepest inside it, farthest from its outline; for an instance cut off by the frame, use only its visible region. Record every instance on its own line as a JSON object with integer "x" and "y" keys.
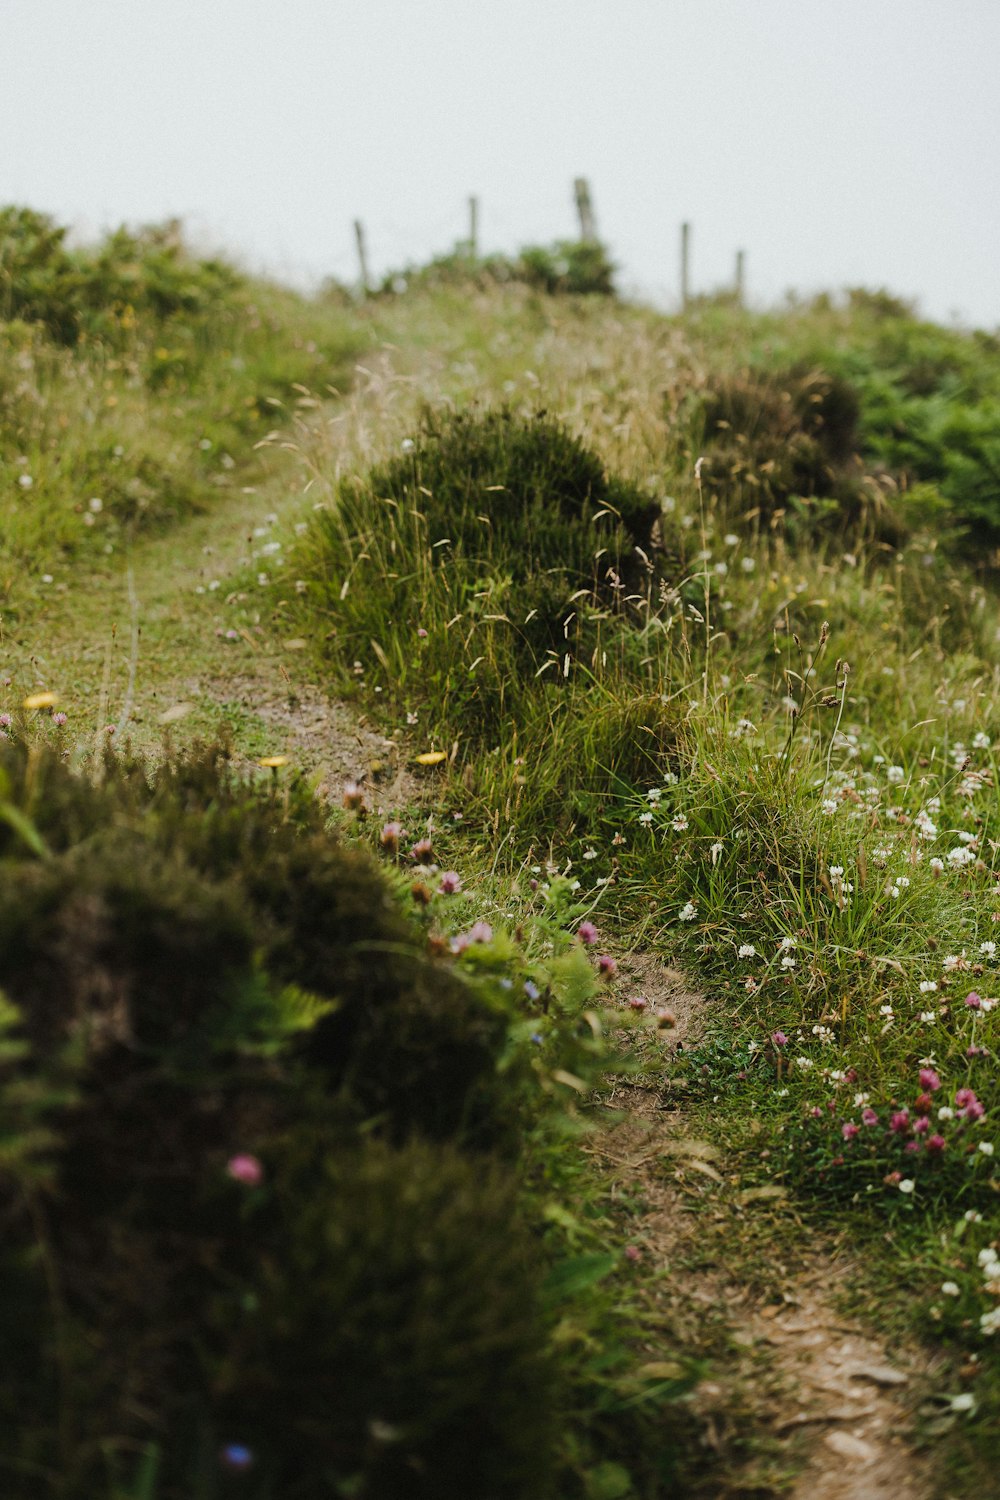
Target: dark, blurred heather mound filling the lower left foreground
{"x": 224, "y": 1043}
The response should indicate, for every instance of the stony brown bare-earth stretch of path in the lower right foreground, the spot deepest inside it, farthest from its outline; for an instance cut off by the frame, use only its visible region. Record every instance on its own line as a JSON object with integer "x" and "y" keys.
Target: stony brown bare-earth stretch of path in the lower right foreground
{"x": 830, "y": 1402}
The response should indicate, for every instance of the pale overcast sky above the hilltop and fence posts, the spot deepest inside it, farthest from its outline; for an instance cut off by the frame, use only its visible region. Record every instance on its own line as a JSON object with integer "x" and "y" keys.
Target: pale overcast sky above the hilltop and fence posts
{"x": 839, "y": 142}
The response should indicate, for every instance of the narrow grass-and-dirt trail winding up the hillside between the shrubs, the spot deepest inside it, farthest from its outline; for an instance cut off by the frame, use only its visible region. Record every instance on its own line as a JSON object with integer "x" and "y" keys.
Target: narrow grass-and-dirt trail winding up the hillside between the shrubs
{"x": 824, "y": 1390}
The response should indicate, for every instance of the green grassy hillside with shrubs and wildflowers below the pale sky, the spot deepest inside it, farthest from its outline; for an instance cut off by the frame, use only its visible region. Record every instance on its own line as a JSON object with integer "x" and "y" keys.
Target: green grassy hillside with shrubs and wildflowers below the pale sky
{"x": 689, "y": 632}
